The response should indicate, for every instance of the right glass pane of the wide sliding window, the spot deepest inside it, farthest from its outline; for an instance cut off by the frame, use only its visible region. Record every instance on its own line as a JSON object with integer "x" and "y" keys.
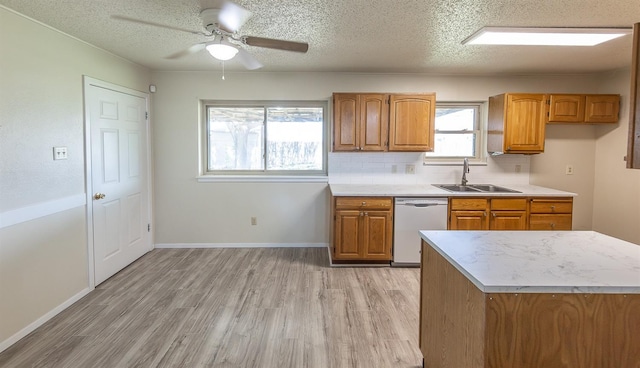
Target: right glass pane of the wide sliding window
{"x": 294, "y": 138}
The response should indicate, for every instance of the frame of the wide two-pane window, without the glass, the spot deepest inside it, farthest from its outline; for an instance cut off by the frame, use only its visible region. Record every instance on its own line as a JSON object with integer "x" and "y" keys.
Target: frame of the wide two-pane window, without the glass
{"x": 264, "y": 174}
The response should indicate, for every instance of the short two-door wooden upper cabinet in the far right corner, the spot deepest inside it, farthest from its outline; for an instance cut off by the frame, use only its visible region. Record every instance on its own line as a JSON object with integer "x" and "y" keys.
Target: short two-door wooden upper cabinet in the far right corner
{"x": 573, "y": 108}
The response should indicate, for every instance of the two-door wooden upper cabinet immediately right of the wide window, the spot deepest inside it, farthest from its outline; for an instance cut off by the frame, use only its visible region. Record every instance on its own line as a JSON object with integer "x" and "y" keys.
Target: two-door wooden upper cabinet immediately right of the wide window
{"x": 360, "y": 122}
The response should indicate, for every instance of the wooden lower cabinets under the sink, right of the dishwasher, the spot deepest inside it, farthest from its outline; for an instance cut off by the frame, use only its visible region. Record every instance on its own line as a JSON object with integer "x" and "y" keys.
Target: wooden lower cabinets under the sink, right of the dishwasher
{"x": 479, "y": 213}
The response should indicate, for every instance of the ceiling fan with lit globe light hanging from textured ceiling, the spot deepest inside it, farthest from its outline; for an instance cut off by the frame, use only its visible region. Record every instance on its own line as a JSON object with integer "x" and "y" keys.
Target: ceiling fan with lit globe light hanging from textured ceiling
{"x": 222, "y": 23}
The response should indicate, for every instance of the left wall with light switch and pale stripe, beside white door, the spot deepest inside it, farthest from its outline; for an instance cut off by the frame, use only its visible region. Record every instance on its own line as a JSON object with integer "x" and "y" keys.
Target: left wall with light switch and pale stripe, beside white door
{"x": 43, "y": 238}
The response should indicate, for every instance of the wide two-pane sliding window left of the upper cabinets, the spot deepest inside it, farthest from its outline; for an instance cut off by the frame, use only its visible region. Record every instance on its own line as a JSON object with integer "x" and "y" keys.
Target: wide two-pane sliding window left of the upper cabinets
{"x": 279, "y": 138}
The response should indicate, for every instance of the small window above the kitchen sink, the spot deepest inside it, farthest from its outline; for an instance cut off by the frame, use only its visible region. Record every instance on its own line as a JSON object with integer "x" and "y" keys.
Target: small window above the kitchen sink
{"x": 457, "y": 133}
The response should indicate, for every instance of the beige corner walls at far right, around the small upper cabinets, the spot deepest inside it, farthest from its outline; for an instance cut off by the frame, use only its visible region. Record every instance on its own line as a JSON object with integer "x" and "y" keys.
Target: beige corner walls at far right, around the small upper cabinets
{"x": 608, "y": 194}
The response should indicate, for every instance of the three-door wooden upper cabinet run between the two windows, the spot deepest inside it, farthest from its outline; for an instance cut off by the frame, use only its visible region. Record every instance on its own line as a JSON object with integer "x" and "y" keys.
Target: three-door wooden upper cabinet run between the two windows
{"x": 383, "y": 122}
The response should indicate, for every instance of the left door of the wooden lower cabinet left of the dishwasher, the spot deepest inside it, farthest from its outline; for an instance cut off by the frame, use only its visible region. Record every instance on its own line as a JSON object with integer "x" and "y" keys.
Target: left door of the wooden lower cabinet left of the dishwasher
{"x": 347, "y": 236}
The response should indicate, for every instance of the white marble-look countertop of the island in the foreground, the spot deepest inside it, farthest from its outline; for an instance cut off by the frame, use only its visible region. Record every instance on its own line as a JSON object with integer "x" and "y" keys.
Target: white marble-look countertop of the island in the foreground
{"x": 541, "y": 261}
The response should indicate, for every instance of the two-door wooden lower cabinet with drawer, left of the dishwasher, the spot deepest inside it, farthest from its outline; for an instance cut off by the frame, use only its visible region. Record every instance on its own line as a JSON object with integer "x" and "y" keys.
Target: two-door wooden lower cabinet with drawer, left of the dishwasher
{"x": 362, "y": 228}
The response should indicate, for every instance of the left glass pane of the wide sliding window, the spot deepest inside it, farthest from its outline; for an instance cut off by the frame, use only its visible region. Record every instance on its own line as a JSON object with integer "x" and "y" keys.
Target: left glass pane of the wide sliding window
{"x": 236, "y": 138}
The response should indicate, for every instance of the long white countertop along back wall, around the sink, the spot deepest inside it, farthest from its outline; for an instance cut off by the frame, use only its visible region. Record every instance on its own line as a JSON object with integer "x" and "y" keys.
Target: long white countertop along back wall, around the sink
{"x": 428, "y": 190}
